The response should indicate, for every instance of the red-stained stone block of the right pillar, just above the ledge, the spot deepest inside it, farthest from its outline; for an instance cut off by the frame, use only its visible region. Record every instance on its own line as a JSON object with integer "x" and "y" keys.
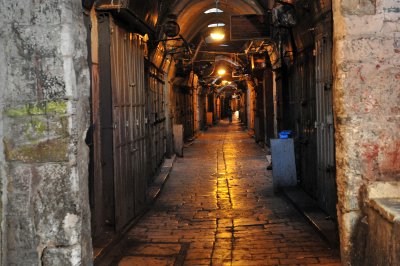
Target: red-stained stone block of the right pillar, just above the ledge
{"x": 373, "y": 152}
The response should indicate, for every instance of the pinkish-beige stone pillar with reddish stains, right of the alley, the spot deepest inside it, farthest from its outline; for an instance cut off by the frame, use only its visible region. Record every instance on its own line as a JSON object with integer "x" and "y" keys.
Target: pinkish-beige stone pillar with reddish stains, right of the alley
{"x": 366, "y": 104}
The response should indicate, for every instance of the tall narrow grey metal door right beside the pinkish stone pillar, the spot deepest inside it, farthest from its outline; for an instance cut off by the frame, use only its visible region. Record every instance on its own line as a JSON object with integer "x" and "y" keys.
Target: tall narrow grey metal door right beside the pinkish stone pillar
{"x": 327, "y": 196}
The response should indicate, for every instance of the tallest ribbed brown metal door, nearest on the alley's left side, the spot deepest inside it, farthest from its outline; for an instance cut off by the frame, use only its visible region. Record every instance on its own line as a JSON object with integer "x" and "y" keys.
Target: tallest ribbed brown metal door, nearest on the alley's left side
{"x": 128, "y": 103}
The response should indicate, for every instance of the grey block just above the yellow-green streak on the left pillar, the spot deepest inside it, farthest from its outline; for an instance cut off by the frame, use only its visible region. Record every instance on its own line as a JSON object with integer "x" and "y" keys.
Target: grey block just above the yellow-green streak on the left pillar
{"x": 36, "y": 68}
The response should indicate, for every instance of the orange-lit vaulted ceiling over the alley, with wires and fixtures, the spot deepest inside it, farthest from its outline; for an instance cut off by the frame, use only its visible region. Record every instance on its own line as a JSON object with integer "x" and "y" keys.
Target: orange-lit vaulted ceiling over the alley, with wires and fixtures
{"x": 201, "y": 54}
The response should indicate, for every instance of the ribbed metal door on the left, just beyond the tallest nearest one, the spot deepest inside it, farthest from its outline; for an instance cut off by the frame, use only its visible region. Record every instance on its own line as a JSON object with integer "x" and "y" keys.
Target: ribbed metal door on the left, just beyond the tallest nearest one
{"x": 156, "y": 116}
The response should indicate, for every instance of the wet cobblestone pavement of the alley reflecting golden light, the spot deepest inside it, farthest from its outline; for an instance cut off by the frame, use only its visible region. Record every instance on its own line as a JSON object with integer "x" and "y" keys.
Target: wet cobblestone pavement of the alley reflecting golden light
{"x": 218, "y": 208}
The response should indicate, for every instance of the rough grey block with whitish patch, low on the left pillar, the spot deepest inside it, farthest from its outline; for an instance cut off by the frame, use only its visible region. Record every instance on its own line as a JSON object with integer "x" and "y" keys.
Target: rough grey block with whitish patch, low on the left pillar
{"x": 55, "y": 206}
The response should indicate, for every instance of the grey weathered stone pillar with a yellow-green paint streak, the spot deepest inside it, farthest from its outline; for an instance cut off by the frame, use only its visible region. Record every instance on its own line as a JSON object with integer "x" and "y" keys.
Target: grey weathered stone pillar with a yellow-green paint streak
{"x": 44, "y": 117}
